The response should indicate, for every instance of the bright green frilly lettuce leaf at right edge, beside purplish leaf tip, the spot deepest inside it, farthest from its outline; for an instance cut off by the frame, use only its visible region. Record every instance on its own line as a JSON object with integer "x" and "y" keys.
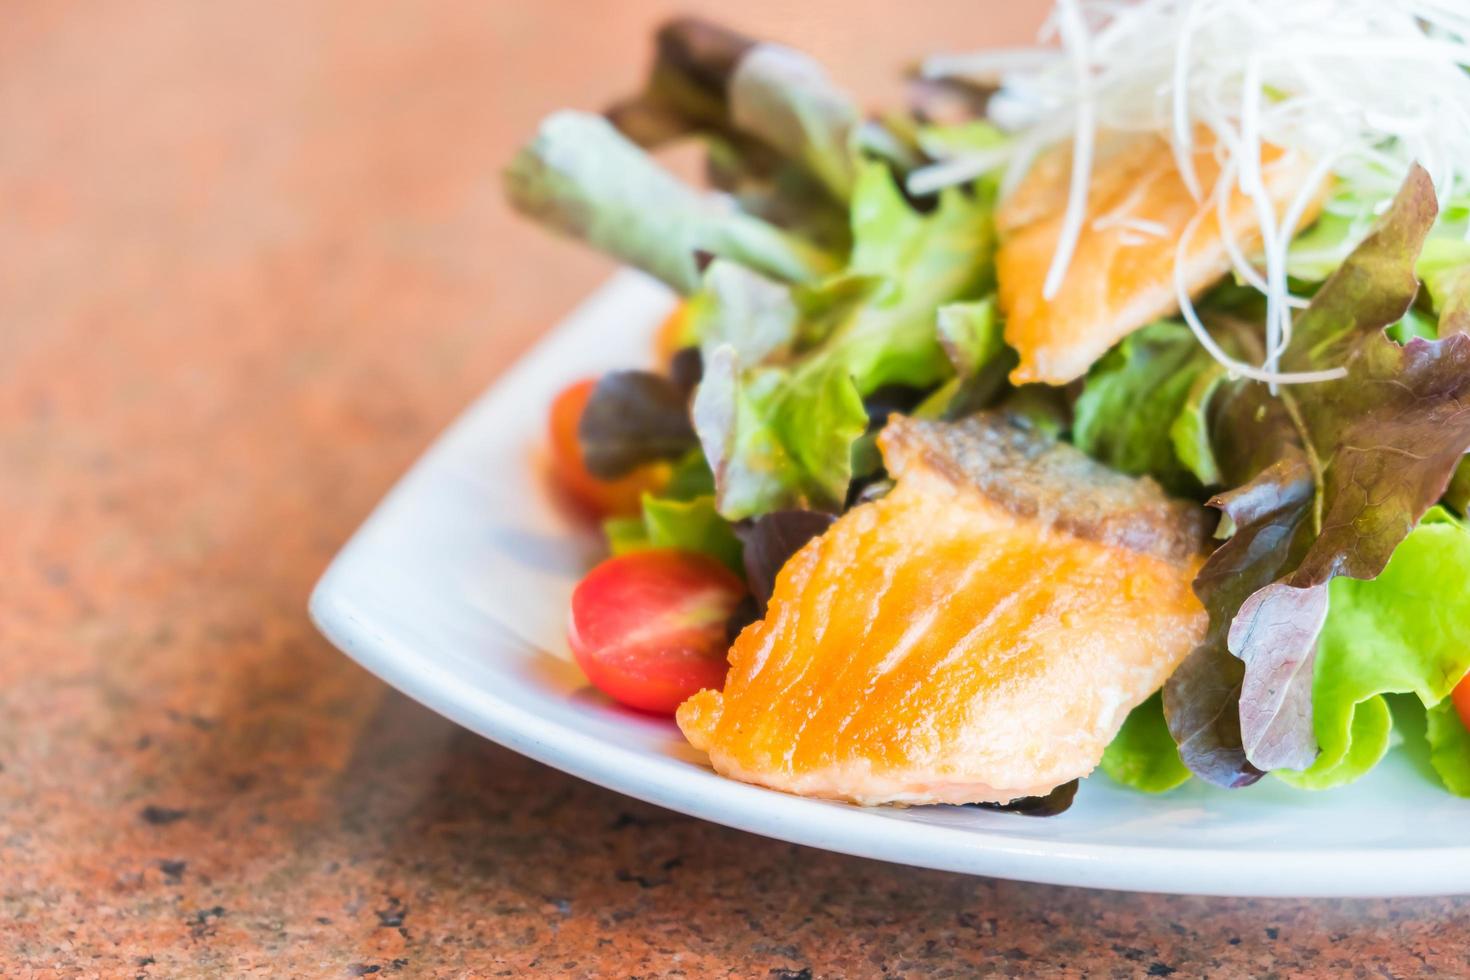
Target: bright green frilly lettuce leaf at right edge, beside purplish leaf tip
{"x": 1405, "y": 633}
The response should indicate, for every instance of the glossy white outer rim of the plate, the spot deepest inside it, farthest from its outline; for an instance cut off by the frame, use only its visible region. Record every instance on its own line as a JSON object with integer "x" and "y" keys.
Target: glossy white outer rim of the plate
{"x": 1206, "y": 871}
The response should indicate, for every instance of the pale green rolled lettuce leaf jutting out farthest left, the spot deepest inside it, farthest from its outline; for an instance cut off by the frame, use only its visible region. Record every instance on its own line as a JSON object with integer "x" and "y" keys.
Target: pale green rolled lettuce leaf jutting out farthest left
{"x": 584, "y": 179}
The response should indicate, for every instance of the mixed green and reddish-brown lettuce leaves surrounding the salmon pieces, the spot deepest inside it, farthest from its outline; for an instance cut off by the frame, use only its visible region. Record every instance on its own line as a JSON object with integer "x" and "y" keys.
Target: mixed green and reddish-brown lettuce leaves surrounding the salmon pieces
{"x": 824, "y": 293}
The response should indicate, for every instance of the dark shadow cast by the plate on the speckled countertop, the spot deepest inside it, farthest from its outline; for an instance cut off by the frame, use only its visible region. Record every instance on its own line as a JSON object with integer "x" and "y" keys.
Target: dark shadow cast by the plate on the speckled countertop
{"x": 564, "y": 865}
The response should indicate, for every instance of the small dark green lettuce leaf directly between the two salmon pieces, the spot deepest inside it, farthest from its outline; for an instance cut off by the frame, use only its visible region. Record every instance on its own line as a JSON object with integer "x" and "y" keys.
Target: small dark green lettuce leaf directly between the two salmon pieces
{"x": 1143, "y": 408}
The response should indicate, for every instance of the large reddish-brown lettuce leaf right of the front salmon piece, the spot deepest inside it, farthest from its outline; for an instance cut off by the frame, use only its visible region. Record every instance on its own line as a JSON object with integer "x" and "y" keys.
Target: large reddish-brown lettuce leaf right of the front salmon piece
{"x": 1333, "y": 478}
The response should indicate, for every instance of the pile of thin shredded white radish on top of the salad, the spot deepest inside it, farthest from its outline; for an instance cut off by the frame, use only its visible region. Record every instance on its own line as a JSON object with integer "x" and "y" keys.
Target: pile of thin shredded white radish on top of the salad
{"x": 1360, "y": 89}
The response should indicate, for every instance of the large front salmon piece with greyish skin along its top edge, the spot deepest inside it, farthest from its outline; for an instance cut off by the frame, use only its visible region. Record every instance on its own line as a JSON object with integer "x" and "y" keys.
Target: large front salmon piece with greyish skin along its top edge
{"x": 977, "y": 635}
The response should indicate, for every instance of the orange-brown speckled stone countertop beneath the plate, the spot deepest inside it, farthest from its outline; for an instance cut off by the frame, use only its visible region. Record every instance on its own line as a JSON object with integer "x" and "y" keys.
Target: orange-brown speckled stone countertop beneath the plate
{"x": 252, "y": 259}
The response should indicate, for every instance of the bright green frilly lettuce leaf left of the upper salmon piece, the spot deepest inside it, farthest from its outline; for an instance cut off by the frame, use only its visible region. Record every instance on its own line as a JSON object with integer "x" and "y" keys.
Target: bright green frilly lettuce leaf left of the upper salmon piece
{"x": 778, "y": 421}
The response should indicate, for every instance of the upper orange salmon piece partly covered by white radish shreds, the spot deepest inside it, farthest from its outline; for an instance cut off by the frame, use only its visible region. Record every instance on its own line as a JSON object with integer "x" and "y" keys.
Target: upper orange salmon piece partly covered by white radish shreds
{"x": 1121, "y": 277}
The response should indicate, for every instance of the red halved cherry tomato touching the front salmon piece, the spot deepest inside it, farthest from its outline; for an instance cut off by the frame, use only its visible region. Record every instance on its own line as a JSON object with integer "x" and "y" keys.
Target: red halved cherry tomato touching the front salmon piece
{"x": 649, "y": 628}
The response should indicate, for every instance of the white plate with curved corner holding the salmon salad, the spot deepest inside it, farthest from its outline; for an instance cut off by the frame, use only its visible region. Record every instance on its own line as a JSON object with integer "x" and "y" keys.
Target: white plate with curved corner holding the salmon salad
{"x": 455, "y": 593}
